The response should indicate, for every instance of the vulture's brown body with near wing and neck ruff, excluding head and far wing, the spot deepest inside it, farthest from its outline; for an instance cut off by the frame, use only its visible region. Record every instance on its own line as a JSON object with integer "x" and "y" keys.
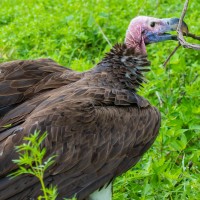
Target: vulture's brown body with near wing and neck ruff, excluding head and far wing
{"x": 97, "y": 126}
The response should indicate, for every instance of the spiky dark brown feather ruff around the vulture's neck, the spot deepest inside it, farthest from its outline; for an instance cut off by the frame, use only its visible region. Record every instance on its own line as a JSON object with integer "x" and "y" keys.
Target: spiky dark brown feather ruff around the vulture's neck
{"x": 122, "y": 68}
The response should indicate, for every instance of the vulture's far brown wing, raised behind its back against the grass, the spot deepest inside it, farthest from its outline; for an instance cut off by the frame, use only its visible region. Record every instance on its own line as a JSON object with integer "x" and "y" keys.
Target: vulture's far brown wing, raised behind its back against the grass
{"x": 18, "y": 76}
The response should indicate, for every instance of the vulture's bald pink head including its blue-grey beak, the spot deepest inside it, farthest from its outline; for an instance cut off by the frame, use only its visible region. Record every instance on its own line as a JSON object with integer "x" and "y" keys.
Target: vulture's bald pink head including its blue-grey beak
{"x": 145, "y": 30}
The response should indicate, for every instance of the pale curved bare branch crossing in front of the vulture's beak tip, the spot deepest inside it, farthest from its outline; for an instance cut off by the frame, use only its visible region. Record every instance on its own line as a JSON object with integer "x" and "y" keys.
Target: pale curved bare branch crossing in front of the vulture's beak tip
{"x": 180, "y": 34}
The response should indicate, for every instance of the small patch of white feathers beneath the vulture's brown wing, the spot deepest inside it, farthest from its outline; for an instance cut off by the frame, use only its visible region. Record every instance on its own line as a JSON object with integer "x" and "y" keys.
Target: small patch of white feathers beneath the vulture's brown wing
{"x": 104, "y": 194}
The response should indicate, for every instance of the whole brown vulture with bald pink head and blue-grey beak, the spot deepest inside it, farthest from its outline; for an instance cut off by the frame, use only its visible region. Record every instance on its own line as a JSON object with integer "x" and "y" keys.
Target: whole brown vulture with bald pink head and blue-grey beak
{"x": 98, "y": 126}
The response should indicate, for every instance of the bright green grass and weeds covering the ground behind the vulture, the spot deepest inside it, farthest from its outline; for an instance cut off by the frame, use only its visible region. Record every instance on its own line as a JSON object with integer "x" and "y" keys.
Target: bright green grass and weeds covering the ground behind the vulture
{"x": 70, "y": 32}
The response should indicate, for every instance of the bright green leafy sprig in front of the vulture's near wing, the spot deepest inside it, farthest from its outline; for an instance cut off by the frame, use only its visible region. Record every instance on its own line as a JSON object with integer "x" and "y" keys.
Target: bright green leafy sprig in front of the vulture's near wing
{"x": 31, "y": 161}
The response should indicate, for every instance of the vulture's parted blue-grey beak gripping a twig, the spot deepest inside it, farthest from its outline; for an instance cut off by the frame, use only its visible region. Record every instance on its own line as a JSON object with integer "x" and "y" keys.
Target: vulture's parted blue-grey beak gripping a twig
{"x": 160, "y": 33}
